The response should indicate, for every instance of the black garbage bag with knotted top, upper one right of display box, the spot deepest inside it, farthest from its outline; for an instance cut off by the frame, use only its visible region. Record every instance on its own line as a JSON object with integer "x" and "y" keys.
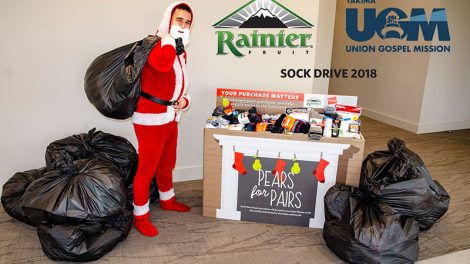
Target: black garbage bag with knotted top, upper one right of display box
{"x": 399, "y": 178}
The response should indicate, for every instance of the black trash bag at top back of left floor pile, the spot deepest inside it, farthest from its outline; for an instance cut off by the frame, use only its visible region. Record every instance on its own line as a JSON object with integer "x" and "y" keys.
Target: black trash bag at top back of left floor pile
{"x": 94, "y": 143}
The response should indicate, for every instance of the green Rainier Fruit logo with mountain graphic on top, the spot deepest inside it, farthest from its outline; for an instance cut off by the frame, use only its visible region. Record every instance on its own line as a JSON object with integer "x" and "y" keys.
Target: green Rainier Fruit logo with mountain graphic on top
{"x": 258, "y": 15}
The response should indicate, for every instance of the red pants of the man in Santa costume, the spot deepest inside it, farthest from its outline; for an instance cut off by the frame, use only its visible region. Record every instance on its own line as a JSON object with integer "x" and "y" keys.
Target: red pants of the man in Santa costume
{"x": 157, "y": 156}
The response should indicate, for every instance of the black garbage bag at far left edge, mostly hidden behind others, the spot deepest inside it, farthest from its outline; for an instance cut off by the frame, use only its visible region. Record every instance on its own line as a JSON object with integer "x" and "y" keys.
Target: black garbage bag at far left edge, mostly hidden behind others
{"x": 13, "y": 190}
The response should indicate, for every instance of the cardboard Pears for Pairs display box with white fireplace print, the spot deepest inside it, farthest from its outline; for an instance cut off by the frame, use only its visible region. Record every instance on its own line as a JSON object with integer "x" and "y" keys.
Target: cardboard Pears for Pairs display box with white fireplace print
{"x": 260, "y": 197}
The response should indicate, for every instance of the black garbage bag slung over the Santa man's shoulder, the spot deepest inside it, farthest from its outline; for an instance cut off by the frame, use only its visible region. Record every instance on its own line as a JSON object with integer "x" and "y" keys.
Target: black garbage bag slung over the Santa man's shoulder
{"x": 112, "y": 81}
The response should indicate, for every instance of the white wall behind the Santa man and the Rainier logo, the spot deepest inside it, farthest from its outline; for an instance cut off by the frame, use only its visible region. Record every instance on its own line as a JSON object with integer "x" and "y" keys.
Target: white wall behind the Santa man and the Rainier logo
{"x": 47, "y": 46}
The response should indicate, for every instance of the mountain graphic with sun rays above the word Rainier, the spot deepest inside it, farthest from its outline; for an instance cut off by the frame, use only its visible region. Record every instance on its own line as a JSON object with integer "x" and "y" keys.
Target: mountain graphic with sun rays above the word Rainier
{"x": 263, "y": 14}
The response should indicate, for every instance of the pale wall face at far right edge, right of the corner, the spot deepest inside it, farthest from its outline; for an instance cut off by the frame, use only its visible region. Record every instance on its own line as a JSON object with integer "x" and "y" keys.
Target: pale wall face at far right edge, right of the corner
{"x": 446, "y": 96}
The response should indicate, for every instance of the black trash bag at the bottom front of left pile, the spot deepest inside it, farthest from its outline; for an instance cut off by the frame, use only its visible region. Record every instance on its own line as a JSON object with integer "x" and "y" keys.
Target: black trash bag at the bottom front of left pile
{"x": 83, "y": 241}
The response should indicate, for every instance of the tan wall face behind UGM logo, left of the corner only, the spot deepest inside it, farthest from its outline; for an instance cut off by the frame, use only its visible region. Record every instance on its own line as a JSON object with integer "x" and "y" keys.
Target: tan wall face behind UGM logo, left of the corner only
{"x": 395, "y": 96}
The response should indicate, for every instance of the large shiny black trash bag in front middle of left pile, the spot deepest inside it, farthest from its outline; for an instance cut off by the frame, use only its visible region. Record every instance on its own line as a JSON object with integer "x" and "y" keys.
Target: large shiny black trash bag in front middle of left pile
{"x": 95, "y": 191}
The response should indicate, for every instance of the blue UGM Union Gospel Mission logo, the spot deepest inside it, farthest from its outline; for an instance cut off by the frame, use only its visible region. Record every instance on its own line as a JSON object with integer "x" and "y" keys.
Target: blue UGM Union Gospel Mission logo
{"x": 394, "y": 23}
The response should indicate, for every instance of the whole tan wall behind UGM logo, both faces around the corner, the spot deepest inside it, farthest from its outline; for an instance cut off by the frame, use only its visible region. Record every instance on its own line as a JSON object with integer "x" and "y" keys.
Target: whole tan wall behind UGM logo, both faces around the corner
{"x": 422, "y": 93}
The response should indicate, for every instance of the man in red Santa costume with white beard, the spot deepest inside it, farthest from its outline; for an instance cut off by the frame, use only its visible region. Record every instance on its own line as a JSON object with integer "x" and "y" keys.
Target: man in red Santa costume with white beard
{"x": 156, "y": 123}
